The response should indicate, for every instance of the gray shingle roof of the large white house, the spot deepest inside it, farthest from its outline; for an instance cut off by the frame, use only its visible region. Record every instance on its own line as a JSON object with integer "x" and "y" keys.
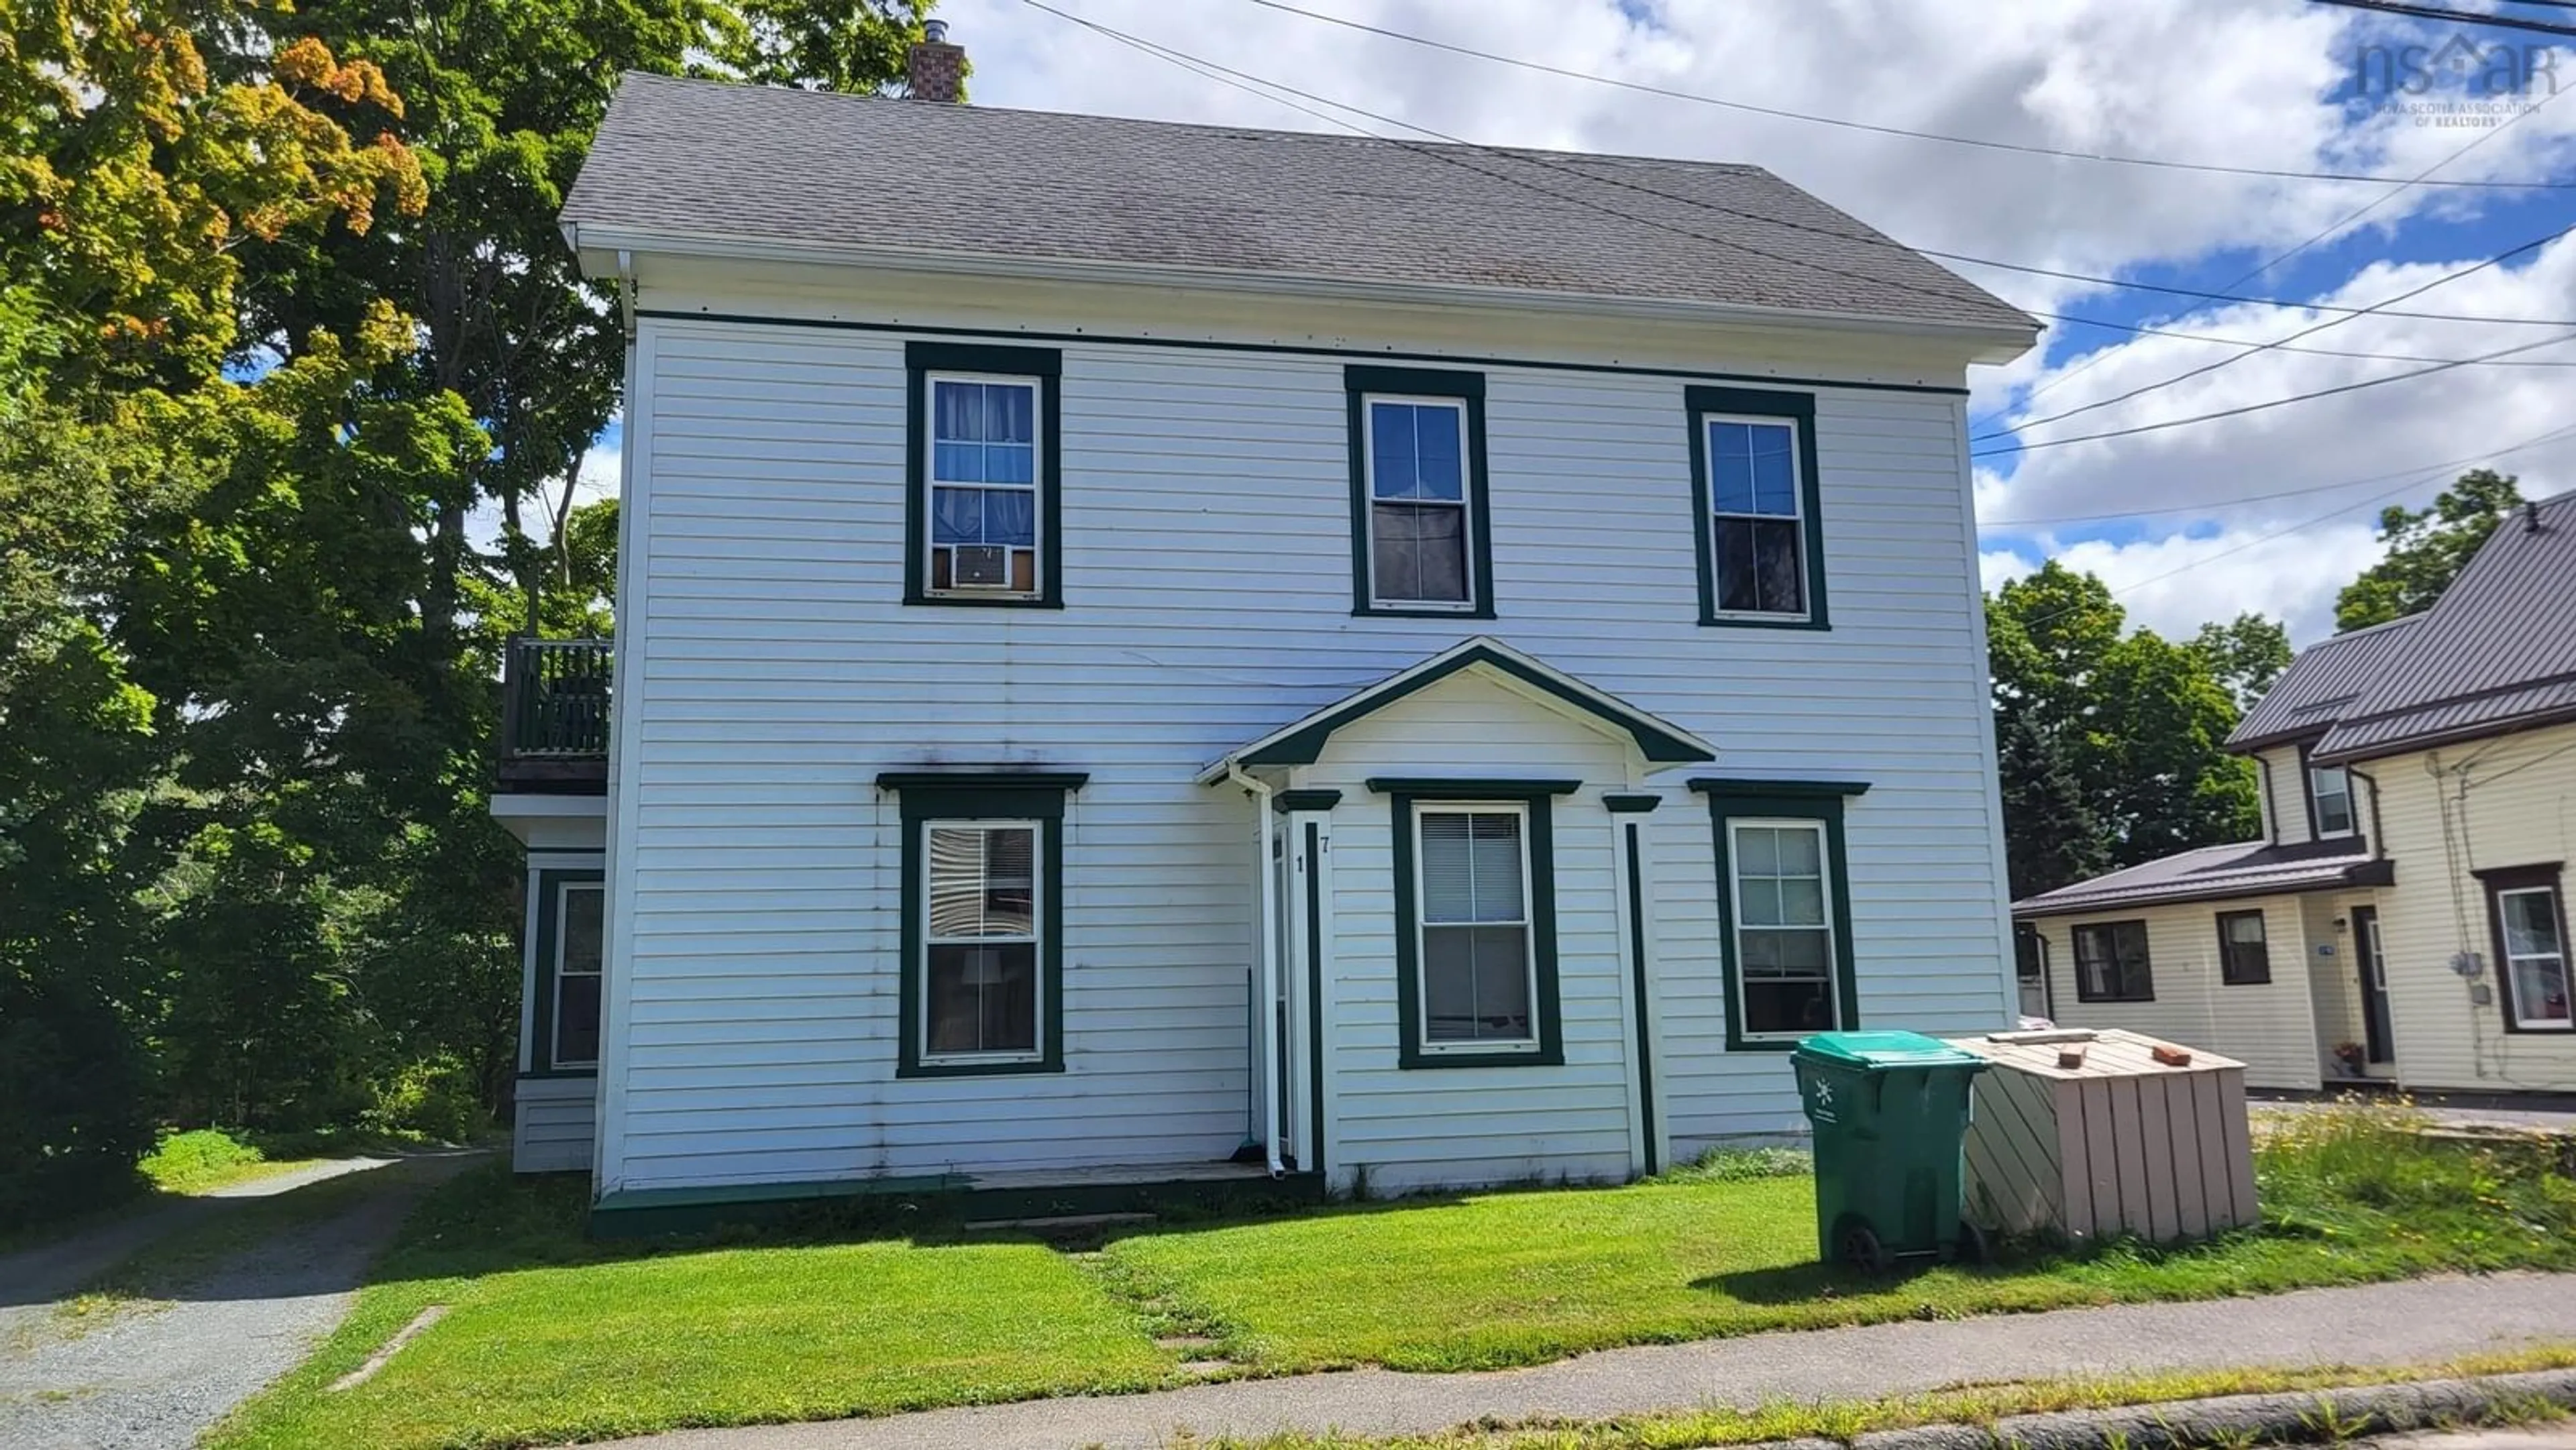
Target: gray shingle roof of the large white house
{"x": 862, "y": 171}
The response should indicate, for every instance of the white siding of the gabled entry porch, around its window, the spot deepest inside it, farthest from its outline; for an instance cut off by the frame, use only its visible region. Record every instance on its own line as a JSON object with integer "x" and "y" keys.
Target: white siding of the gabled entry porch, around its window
{"x": 1488, "y": 1124}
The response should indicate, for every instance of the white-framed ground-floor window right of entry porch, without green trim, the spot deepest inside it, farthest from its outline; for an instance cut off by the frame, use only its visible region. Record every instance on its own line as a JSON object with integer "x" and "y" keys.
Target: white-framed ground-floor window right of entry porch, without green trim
{"x": 1784, "y": 928}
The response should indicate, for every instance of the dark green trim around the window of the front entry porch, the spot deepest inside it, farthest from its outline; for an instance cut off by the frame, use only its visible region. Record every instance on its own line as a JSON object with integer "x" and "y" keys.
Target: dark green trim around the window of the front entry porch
{"x": 1542, "y": 843}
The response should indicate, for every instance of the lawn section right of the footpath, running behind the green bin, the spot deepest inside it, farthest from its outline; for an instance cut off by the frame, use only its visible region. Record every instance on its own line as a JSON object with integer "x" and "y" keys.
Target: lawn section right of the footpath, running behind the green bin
{"x": 1519, "y": 1279}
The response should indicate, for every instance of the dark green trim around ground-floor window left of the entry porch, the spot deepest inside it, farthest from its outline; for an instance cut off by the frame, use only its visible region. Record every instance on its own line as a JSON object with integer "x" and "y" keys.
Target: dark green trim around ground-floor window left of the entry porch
{"x": 996, "y": 797}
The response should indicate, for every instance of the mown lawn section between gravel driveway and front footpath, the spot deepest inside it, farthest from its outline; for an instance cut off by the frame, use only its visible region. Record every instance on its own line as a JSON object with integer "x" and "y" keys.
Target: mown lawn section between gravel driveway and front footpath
{"x": 553, "y": 1341}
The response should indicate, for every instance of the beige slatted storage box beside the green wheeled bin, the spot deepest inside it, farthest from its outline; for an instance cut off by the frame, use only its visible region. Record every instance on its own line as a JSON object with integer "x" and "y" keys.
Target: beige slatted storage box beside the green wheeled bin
{"x": 2116, "y": 1145}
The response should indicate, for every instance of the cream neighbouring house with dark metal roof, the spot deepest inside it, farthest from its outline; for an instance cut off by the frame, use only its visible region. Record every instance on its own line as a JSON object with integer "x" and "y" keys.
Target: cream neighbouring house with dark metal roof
{"x": 2410, "y": 895}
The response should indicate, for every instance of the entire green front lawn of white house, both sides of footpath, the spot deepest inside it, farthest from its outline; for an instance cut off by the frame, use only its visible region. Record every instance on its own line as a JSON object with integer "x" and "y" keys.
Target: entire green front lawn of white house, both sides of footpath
{"x": 558, "y": 1341}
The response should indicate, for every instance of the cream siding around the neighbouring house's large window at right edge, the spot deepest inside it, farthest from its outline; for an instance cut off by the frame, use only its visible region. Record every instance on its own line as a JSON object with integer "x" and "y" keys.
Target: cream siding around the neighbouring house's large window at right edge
{"x": 2513, "y": 807}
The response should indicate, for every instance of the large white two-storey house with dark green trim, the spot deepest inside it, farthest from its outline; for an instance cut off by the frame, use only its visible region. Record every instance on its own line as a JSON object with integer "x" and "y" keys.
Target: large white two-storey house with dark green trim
{"x": 1158, "y": 645}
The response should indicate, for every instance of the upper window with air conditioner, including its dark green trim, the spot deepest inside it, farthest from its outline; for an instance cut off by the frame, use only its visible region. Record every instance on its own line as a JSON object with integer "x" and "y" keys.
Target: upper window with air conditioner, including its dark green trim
{"x": 983, "y": 511}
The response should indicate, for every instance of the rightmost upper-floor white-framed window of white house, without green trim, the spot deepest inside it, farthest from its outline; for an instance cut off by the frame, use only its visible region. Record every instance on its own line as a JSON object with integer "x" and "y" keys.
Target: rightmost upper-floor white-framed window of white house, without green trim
{"x": 1756, "y": 516}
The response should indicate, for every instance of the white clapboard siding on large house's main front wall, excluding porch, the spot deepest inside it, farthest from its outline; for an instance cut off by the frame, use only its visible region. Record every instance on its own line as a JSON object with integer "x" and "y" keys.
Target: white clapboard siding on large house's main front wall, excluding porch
{"x": 769, "y": 671}
